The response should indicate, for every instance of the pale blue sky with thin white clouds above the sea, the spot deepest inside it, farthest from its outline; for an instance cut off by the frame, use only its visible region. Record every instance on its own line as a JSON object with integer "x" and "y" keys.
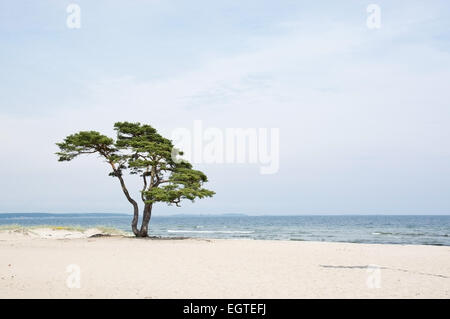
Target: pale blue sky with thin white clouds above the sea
{"x": 363, "y": 113}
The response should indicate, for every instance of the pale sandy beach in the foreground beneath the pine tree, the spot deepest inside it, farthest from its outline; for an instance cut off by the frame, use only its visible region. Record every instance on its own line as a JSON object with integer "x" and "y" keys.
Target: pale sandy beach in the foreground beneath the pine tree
{"x": 58, "y": 263}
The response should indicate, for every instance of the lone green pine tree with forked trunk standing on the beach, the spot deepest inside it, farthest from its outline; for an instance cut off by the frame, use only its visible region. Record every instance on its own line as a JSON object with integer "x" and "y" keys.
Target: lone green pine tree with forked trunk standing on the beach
{"x": 140, "y": 150}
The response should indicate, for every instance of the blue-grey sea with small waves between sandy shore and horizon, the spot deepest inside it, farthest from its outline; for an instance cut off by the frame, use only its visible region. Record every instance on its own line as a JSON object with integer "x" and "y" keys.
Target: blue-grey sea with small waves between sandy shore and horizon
{"x": 426, "y": 230}
